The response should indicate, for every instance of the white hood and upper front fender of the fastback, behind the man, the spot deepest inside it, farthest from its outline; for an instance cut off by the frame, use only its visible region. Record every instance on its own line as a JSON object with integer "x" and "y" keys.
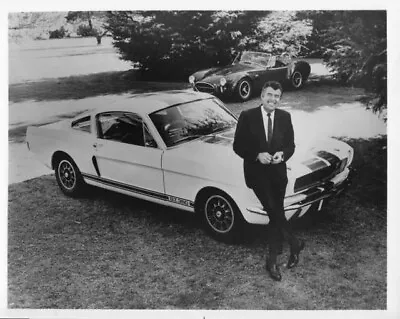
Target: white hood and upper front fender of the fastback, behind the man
{"x": 212, "y": 157}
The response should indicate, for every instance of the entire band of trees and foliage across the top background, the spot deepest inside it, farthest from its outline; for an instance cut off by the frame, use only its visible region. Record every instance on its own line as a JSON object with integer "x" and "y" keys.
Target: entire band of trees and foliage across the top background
{"x": 170, "y": 45}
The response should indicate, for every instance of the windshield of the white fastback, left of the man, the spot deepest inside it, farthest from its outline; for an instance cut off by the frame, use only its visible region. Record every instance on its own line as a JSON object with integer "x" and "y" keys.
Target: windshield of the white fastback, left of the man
{"x": 189, "y": 121}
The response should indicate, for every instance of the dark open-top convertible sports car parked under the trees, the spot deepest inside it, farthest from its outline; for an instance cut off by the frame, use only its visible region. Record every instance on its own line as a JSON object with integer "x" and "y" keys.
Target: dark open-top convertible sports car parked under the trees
{"x": 248, "y": 73}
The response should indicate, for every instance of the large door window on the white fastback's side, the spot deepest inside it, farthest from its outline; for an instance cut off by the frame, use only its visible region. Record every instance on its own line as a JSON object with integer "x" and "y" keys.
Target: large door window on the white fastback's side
{"x": 124, "y": 127}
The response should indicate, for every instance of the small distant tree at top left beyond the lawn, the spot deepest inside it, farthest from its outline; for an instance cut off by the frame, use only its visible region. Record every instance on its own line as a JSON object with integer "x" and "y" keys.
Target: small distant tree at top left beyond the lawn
{"x": 94, "y": 19}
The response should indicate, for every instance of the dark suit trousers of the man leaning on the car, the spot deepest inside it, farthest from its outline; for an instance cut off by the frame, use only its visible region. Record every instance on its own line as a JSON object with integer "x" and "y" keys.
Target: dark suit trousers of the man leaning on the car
{"x": 270, "y": 189}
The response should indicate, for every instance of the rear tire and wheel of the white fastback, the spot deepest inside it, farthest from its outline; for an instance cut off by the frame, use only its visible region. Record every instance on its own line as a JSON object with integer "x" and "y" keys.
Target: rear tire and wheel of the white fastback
{"x": 68, "y": 177}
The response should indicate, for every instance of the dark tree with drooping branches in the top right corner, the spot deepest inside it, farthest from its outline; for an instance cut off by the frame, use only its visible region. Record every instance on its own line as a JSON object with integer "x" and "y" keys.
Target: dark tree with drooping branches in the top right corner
{"x": 353, "y": 44}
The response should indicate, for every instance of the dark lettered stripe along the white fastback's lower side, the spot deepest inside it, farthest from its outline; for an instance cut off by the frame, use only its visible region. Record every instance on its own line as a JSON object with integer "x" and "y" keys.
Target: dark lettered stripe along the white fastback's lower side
{"x": 141, "y": 191}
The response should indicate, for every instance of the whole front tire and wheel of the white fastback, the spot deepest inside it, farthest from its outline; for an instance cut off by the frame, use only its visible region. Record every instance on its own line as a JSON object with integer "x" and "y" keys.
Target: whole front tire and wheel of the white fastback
{"x": 221, "y": 217}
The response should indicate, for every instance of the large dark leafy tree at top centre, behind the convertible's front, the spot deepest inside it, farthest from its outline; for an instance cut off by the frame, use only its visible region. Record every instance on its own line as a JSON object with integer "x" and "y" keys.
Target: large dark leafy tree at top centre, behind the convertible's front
{"x": 172, "y": 44}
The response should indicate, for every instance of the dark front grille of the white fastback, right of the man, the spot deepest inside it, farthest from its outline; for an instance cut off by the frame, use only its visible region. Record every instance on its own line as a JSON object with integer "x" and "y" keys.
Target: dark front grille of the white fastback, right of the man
{"x": 321, "y": 175}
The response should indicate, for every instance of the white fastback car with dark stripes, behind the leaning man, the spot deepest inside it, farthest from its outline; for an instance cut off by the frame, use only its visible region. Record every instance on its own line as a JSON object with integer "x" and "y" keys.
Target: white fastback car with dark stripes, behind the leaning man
{"x": 175, "y": 148}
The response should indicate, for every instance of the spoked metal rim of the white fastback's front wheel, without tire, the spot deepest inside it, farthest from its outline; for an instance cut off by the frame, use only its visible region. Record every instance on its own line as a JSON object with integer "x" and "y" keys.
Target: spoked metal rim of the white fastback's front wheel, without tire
{"x": 219, "y": 214}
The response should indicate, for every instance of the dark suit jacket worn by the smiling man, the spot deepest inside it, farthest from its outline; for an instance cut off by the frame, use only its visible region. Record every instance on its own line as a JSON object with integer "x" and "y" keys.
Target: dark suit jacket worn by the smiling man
{"x": 250, "y": 140}
